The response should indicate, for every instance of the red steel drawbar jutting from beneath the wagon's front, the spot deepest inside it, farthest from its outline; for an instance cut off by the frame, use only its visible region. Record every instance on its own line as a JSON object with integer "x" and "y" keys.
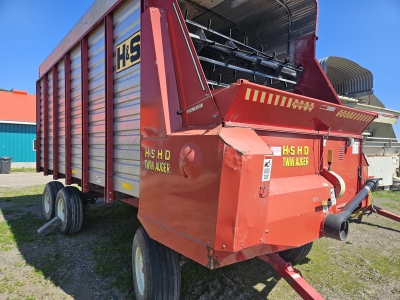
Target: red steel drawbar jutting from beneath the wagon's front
{"x": 292, "y": 276}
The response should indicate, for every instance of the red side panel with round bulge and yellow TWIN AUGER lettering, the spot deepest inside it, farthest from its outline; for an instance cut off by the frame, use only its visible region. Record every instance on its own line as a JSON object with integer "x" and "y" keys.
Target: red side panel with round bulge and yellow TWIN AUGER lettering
{"x": 171, "y": 165}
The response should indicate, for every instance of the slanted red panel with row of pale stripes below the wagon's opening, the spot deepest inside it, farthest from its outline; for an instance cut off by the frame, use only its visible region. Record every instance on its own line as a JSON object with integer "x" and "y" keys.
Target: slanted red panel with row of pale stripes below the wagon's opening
{"x": 264, "y": 106}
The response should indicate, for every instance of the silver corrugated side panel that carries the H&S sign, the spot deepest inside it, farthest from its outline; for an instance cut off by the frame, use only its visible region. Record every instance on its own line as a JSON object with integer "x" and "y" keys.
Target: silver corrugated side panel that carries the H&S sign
{"x": 126, "y": 21}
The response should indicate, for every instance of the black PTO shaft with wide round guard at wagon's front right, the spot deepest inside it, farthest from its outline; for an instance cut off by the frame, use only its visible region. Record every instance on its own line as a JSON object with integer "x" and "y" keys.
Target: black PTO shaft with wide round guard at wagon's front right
{"x": 336, "y": 226}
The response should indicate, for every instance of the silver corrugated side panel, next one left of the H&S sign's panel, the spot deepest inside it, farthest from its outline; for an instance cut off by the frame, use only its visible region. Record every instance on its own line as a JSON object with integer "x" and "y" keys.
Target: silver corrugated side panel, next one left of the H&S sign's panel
{"x": 96, "y": 98}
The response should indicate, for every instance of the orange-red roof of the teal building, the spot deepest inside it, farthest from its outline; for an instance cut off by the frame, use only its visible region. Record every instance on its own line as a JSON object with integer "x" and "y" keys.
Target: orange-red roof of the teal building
{"x": 17, "y": 106}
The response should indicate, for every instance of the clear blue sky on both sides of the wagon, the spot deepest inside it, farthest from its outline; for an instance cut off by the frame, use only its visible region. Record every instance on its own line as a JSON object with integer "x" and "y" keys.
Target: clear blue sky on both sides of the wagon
{"x": 365, "y": 31}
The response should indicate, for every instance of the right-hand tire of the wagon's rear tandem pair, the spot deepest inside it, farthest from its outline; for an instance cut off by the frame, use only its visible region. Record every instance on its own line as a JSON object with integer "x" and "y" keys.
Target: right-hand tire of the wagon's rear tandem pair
{"x": 72, "y": 218}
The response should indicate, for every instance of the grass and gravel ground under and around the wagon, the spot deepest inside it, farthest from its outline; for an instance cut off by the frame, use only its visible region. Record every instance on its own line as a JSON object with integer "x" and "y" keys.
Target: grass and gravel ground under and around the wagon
{"x": 96, "y": 263}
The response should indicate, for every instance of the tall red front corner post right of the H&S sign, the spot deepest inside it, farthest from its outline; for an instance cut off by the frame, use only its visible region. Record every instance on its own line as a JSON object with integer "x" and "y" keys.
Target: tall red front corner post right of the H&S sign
{"x": 158, "y": 89}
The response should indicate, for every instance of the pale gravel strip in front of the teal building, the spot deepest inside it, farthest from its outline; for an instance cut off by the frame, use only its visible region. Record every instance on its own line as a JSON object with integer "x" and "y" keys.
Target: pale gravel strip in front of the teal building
{"x": 24, "y": 179}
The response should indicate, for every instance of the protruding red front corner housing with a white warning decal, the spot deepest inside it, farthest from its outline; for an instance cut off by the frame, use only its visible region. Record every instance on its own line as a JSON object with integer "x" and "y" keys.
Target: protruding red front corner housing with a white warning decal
{"x": 242, "y": 205}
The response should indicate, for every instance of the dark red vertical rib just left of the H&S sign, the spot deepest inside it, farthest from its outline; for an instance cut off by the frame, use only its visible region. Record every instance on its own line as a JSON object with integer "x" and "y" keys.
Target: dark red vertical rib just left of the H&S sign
{"x": 109, "y": 193}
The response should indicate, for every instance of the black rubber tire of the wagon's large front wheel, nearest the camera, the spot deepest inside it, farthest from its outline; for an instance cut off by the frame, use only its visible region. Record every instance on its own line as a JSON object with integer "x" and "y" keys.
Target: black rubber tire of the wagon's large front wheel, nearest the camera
{"x": 162, "y": 273}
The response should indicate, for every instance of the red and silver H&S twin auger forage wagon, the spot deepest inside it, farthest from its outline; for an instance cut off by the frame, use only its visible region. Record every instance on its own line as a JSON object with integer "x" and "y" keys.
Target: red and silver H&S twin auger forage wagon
{"x": 213, "y": 118}
